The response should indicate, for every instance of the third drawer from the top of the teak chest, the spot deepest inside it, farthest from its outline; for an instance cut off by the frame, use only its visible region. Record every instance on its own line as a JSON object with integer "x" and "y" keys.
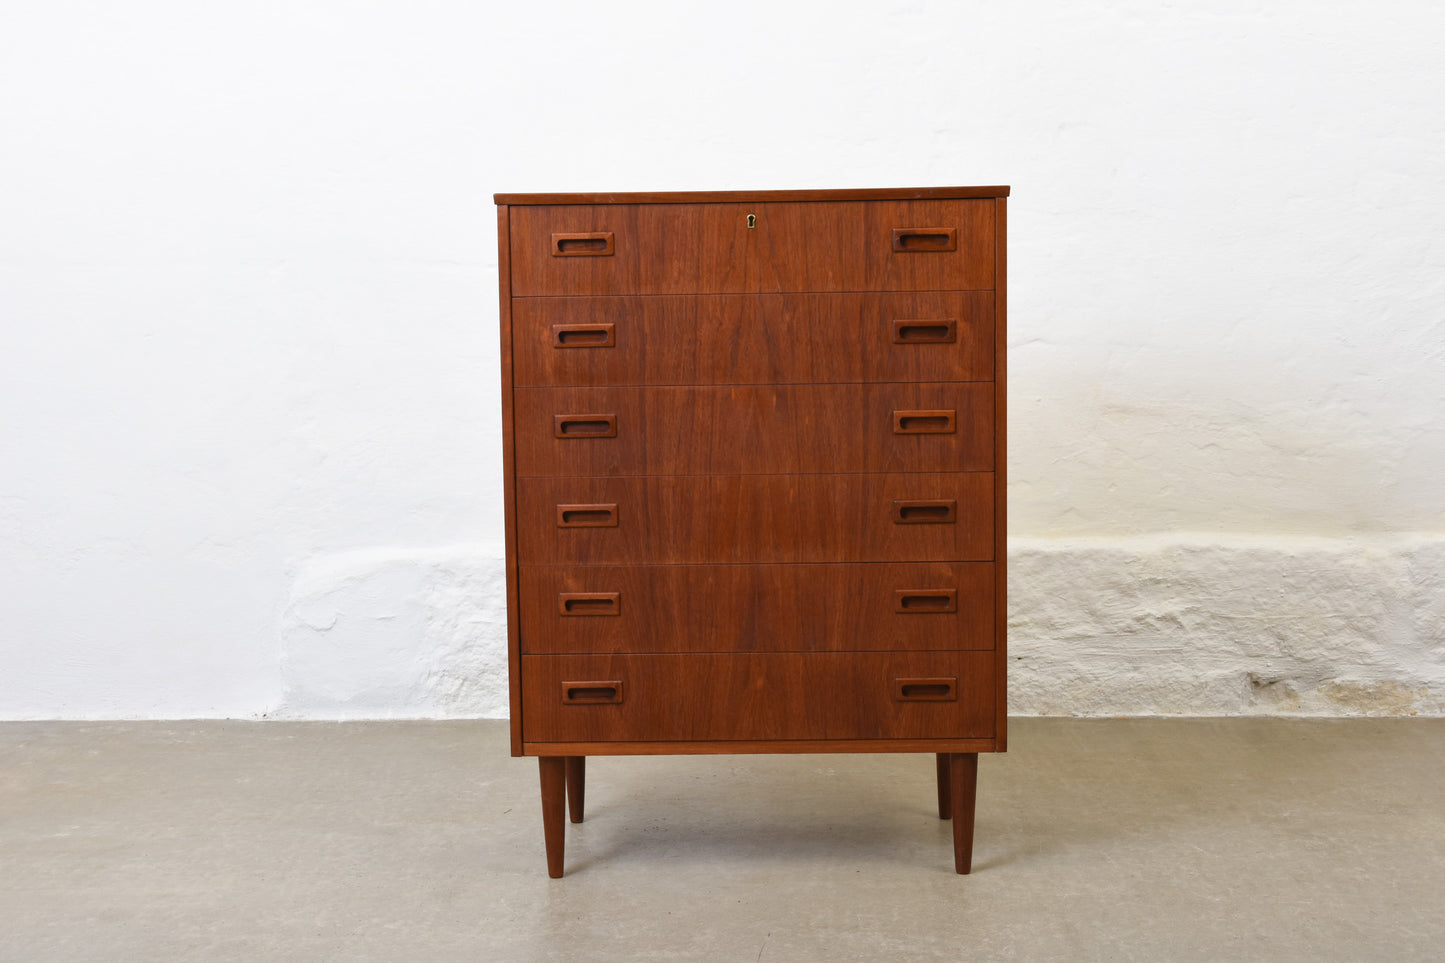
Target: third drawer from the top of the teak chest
{"x": 730, "y": 430}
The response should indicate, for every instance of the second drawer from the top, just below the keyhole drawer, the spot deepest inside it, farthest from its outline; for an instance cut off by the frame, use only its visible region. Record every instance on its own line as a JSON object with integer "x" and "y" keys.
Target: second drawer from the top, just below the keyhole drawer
{"x": 755, "y": 339}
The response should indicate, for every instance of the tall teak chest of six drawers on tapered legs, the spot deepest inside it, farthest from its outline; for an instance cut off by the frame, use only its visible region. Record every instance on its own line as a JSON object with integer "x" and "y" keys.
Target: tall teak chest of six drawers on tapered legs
{"x": 755, "y": 479}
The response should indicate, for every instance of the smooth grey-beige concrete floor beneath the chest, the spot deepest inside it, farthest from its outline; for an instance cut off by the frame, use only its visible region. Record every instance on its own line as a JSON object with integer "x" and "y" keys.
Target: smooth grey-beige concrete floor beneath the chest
{"x": 1097, "y": 839}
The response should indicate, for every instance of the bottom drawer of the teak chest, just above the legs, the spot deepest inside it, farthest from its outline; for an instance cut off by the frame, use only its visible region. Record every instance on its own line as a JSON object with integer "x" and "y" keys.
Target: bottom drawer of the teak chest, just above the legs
{"x": 758, "y": 698}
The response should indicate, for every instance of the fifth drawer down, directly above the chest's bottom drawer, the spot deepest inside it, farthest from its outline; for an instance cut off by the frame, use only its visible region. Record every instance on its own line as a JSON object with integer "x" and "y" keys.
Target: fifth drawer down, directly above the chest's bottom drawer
{"x": 902, "y": 608}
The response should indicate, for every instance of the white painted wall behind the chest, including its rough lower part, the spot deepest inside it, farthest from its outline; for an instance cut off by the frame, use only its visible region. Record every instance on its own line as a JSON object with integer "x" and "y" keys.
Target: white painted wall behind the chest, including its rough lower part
{"x": 251, "y": 462}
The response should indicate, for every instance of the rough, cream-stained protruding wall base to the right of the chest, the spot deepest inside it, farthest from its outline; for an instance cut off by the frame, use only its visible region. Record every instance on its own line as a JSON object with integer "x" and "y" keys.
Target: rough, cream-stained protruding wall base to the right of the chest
{"x": 1181, "y": 627}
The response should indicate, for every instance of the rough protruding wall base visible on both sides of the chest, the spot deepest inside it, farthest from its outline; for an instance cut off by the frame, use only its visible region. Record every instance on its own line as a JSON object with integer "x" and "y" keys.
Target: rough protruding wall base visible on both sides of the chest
{"x": 1142, "y": 627}
